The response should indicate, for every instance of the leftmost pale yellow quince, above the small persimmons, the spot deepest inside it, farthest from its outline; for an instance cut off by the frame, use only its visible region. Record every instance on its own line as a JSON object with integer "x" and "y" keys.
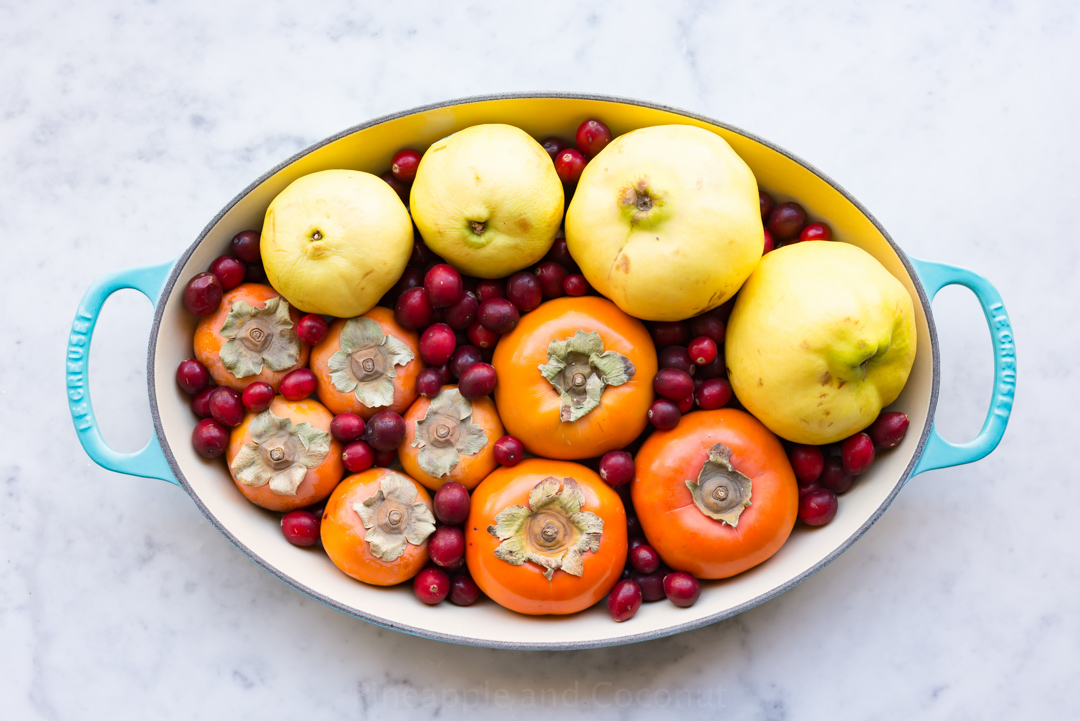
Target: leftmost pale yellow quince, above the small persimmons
{"x": 368, "y": 239}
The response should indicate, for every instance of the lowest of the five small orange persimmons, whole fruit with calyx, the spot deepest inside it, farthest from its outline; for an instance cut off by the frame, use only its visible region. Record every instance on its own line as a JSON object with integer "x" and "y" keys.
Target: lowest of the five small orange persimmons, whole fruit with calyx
{"x": 399, "y": 511}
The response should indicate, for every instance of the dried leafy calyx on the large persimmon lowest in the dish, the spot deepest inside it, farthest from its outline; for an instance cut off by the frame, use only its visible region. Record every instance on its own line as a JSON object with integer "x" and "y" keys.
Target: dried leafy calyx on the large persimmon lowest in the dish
{"x": 553, "y": 532}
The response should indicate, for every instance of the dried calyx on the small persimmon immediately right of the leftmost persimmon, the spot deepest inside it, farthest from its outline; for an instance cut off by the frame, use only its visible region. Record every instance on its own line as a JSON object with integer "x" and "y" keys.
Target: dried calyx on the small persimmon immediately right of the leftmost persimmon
{"x": 367, "y": 364}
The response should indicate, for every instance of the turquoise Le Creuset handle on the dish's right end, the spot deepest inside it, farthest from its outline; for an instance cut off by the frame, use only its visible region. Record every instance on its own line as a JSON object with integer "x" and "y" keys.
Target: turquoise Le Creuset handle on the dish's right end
{"x": 940, "y": 454}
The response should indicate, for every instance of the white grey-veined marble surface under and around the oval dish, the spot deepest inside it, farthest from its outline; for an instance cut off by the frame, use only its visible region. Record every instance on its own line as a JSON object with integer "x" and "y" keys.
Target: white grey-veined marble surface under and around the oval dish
{"x": 125, "y": 128}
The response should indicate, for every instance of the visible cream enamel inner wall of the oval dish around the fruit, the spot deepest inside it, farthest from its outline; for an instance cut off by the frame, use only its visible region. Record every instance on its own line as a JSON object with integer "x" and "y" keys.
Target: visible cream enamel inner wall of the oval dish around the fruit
{"x": 487, "y": 624}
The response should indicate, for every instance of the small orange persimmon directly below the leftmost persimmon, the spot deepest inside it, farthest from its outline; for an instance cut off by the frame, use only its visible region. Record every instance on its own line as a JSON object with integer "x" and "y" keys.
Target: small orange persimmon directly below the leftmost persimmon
{"x": 286, "y": 466}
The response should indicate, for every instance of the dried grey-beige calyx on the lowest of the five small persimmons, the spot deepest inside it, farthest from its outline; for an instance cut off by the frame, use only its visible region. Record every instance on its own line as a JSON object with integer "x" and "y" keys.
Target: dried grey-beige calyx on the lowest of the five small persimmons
{"x": 395, "y": 516}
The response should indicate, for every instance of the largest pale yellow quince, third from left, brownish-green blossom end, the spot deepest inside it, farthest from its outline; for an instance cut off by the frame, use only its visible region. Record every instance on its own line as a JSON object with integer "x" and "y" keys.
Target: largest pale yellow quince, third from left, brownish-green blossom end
{"x": 706, "y": 237}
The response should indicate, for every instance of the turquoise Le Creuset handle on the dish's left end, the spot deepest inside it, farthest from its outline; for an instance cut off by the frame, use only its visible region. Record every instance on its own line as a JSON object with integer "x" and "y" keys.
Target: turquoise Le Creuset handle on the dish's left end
{"x": 151, "y": 461}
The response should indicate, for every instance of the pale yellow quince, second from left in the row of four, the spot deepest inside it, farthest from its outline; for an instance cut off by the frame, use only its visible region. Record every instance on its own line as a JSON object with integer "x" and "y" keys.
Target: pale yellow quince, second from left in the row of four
{"x": 497, "y": 175}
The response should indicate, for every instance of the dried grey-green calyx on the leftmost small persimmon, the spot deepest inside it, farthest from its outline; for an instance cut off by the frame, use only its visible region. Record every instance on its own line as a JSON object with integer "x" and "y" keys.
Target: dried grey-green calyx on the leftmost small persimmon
{"x": 259, "y": 337}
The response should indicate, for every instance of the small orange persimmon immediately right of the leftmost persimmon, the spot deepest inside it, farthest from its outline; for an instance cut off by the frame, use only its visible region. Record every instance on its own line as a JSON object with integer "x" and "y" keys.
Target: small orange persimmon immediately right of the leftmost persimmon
{"x": 376, "y": 347}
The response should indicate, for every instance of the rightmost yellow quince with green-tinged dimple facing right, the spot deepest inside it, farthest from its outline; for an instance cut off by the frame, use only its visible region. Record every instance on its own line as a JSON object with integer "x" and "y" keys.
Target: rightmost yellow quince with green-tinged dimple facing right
{"x": 802, "y": 328}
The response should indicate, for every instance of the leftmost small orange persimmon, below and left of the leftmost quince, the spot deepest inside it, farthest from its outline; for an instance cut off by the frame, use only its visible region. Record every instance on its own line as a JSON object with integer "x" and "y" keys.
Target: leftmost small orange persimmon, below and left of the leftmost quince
{"x": 255, "y": 341}
